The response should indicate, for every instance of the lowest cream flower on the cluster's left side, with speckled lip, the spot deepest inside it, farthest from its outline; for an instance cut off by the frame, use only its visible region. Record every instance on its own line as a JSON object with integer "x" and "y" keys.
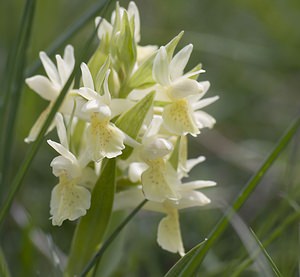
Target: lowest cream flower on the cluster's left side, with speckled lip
{"x": 70, "y": 198}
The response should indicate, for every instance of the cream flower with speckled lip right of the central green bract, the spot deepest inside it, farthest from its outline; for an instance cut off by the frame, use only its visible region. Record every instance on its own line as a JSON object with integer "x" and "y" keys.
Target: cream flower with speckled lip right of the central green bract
{"x": 151, "y": 167}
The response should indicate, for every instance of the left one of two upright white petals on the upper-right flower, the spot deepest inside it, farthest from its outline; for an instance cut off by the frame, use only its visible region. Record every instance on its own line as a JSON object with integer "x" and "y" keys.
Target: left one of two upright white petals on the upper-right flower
{"x": 161, "y": 72}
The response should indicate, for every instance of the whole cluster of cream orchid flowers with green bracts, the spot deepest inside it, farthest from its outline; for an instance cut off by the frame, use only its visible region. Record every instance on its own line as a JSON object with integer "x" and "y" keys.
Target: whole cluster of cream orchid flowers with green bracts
{"x": 134, "y": 104}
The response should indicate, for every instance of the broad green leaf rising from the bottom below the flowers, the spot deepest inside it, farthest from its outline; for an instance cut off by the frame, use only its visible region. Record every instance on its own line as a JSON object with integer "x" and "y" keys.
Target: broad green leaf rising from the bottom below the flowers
{"x": 92, "y": 227}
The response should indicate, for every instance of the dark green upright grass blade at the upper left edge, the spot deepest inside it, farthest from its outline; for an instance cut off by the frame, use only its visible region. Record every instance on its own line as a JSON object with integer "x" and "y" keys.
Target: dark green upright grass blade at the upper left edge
{"x": 12, "y": 90}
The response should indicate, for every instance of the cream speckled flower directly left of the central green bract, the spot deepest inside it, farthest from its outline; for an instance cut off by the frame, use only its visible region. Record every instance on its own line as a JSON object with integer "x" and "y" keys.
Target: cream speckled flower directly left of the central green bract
{"x": 104, "y": 139}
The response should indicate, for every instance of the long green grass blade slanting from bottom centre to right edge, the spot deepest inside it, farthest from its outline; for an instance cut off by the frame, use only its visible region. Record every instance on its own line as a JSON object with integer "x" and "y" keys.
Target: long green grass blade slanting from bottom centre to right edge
{"x": 188, "y": 265}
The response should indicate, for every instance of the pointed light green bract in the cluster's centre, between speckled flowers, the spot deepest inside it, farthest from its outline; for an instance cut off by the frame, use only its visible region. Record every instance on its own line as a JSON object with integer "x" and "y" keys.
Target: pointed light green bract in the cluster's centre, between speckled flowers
{"x": 131, "y": 121}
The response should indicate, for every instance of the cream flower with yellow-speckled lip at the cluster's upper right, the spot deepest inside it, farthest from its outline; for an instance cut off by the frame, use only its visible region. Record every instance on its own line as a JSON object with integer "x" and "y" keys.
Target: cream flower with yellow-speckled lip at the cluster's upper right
{"x": 182, "y": 115}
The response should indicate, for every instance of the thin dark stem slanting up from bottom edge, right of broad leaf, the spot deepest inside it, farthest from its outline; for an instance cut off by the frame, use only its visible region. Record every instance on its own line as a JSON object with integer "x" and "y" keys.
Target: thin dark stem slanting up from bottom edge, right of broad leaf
{"x": 97, "y": 257}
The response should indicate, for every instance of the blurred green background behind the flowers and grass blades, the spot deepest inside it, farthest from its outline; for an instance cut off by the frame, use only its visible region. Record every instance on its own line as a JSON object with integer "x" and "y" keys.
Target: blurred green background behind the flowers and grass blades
{"x": 250, "y": 50}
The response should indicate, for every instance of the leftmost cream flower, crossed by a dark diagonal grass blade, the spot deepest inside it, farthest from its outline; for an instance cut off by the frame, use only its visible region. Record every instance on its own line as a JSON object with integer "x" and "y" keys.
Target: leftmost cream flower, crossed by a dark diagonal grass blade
{"x": 49, "y": 88}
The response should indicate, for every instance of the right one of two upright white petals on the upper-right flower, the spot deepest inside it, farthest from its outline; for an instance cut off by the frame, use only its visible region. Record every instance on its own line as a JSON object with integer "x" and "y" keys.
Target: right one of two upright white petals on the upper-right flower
{"x": 180, "y": 61}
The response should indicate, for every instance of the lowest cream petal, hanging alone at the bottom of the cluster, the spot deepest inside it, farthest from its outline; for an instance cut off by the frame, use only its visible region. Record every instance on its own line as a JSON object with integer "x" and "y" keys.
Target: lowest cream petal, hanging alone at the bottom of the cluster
{"x": 169, "y": 235}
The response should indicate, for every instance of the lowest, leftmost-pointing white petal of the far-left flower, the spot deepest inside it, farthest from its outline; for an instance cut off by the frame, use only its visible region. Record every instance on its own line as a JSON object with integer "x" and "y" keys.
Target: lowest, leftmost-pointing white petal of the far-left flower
{"x": 43, "y": 87}
